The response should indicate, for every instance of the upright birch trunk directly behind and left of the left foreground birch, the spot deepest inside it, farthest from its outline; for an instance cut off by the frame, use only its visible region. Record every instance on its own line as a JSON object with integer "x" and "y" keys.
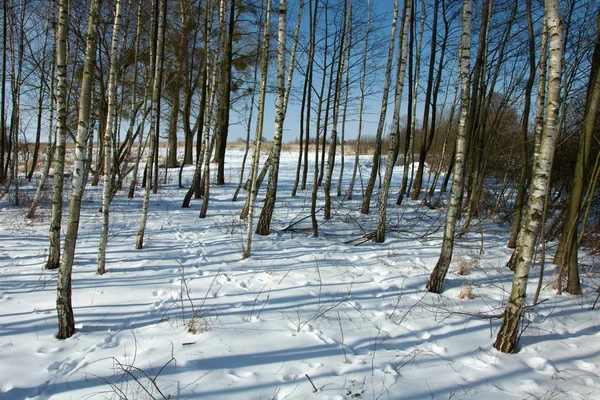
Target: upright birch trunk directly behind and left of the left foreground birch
{"x": 53, "y": 260}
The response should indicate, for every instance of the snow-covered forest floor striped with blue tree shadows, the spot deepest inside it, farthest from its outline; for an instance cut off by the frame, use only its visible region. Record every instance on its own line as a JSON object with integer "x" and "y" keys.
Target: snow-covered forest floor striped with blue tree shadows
{"x": 304, "y": 318}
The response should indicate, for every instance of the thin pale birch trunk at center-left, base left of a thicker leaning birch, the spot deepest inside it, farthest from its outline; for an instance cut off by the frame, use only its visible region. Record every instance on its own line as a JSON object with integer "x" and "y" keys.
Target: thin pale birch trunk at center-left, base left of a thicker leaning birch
{"x": 264, "y": 63}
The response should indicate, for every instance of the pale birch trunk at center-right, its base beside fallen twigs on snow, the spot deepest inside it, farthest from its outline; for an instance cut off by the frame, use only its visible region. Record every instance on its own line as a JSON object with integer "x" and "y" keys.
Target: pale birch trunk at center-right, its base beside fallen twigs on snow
{"x": 394, "y": 142}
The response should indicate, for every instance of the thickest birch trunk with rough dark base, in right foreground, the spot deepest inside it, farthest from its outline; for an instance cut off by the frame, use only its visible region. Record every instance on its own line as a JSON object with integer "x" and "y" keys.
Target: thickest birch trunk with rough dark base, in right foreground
{"x": 507, "y": 340}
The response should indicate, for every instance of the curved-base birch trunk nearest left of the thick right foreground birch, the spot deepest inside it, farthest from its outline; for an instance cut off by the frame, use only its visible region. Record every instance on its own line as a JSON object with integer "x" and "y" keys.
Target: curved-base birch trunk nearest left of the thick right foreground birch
{"x": 438, "y": 275}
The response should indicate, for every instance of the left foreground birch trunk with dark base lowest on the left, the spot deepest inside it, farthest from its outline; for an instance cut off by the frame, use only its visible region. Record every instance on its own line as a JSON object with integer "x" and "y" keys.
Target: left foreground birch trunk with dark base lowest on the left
{"x": 64, "y": 309}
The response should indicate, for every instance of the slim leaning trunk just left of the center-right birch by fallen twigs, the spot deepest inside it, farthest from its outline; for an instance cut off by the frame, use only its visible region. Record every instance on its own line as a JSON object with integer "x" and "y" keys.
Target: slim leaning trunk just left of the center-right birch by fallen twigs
{"x": 382, "y": 113}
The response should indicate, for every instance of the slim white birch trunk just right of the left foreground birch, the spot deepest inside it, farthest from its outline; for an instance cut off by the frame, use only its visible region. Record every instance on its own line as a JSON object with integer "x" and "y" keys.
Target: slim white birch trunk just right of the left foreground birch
{"x": 108, "y": 140}
